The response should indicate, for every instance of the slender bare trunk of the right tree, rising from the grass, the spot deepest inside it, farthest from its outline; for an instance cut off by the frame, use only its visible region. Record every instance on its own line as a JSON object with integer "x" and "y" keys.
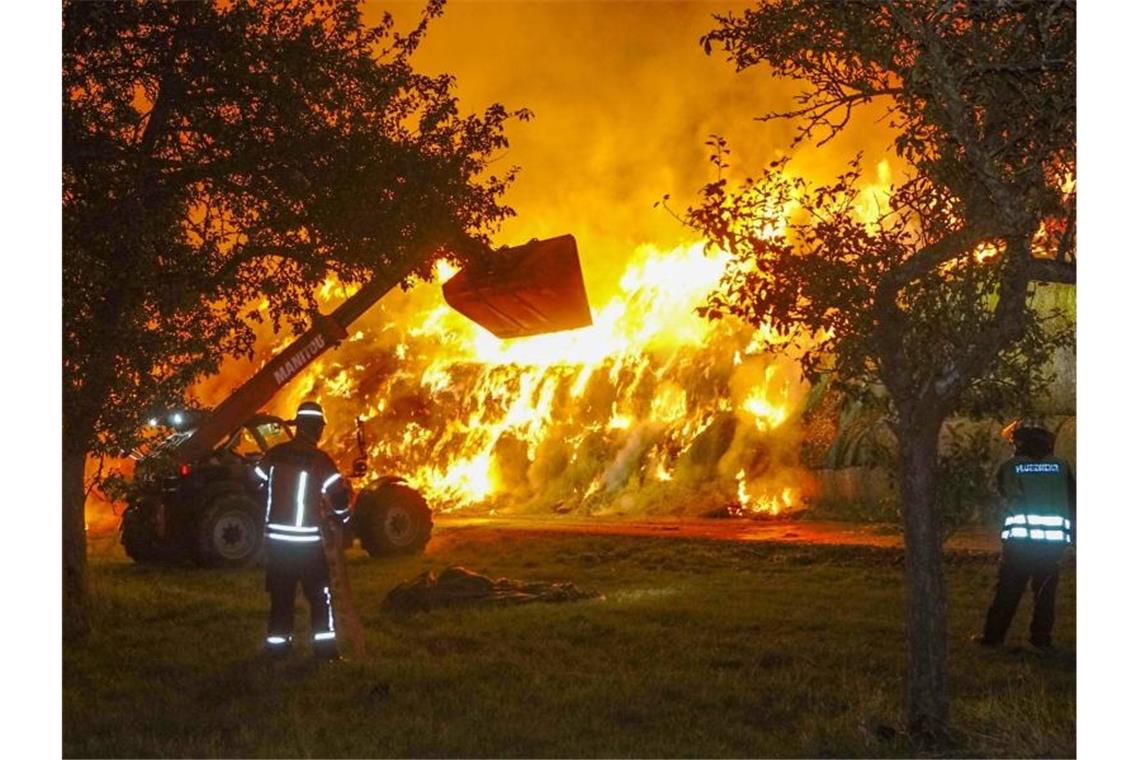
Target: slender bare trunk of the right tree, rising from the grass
{"x": 927, "y": 692}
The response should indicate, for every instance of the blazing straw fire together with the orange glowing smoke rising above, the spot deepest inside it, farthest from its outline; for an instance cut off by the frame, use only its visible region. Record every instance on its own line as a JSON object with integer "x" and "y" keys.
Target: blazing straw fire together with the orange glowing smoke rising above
{"x": 654, "y": 410}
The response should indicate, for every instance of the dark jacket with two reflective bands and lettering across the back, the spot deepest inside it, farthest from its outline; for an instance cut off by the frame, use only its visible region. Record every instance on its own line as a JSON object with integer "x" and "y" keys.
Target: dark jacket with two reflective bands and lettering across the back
{"x": 1040, "y": 501}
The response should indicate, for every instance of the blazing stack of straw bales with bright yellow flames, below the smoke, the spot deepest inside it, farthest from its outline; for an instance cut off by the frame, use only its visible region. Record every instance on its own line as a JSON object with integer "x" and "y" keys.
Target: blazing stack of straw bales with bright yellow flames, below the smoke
{"x": 652, "y": 411}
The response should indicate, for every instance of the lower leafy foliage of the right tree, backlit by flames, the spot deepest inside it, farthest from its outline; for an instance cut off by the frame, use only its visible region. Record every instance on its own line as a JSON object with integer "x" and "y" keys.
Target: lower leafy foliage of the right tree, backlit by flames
{"x": 817, "y": 271}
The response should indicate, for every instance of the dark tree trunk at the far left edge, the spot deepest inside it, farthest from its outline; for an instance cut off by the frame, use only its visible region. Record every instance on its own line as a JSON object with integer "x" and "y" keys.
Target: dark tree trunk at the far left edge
{"x": 76, "y": 619}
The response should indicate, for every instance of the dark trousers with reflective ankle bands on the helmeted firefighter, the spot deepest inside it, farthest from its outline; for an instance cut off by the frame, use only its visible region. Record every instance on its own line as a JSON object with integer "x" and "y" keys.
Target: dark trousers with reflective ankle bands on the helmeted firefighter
{"x": 287, "y": 566}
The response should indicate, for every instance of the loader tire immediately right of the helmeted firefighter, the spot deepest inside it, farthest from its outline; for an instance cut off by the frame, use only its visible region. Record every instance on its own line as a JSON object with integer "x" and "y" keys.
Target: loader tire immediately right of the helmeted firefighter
{"x": 393, "y": 519}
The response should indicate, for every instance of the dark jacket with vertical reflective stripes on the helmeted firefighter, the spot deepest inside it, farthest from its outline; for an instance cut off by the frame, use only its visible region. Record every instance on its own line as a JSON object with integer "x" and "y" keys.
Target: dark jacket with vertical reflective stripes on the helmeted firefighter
{"x": 298, "y": 478}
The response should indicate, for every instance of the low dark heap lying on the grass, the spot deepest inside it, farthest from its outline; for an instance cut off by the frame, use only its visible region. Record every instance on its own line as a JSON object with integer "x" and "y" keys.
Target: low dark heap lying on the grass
{"x": 462, "y": 587}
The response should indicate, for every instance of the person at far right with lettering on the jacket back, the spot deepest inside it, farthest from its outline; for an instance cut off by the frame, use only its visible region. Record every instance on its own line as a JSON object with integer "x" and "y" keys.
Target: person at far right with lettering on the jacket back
{"x": 1039, "y": 524}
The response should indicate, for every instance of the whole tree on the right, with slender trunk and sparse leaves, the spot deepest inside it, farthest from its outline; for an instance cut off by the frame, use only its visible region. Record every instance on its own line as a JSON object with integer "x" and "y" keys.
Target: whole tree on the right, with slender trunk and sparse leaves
{"x": 929, "y": 298}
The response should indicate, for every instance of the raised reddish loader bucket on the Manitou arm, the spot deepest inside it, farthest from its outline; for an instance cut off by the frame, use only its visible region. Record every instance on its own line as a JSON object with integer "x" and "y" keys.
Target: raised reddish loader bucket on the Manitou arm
{"x": 527, "y": 290}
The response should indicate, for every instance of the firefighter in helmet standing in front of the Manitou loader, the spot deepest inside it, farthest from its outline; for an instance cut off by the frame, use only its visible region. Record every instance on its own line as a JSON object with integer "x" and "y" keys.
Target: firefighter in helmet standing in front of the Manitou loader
{"x": 299, "y": 478}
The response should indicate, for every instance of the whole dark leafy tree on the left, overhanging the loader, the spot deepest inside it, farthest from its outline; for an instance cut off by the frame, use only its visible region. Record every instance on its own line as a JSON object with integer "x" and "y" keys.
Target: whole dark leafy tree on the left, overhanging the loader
{"x": 221, "y": 161}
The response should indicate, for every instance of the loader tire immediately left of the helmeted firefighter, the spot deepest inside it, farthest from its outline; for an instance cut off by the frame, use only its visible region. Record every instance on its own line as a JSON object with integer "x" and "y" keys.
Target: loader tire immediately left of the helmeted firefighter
{"x": 230, "y": 533}
